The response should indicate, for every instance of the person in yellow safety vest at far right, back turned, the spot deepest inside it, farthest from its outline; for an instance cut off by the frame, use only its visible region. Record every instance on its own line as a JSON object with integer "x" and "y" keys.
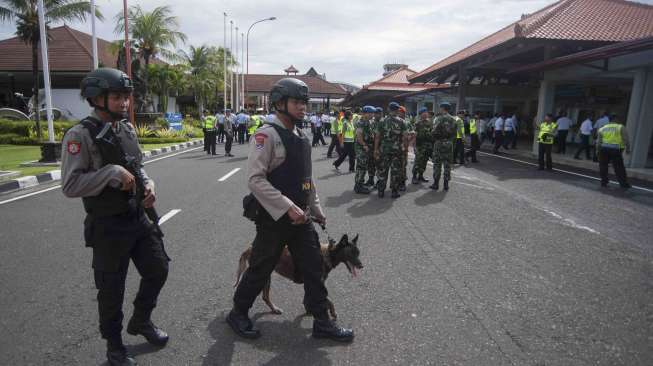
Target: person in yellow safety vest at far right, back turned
{"x": 612, "y": 140}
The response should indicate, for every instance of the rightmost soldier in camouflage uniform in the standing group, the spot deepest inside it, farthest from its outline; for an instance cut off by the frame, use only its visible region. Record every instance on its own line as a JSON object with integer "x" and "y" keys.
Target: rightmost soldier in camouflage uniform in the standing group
{"x": 444, "y": 134}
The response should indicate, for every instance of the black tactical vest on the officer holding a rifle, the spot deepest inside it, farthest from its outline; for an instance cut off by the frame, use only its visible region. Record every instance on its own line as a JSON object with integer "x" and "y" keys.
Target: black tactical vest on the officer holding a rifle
{"x": 111, "y": 201}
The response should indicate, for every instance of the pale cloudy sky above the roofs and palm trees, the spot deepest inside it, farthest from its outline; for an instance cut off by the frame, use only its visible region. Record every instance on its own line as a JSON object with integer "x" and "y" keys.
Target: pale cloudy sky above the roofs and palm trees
{"x": 348, "y": 40}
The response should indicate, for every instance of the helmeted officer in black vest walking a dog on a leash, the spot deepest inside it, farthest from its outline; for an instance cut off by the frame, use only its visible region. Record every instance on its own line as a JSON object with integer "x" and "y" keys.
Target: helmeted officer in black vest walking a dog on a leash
{"x": 280, "y": 178}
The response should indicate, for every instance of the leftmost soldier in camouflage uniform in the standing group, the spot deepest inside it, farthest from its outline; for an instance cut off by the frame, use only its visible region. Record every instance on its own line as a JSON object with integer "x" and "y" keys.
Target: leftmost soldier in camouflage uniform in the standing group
{"x": 363, "y": 146}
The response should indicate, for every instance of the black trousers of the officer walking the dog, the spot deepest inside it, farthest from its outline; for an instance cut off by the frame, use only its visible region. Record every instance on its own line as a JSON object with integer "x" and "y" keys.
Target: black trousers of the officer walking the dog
{"x": 304, "y": 246}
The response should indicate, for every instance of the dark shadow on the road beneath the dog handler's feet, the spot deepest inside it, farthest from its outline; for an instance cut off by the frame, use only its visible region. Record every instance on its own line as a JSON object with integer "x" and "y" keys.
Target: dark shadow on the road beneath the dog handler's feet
{"x": 287, "y": 340}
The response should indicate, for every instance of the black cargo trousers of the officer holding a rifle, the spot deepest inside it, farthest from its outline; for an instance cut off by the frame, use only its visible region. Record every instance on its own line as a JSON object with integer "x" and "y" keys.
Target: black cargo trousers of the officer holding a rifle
{"x": 117, "y": 239}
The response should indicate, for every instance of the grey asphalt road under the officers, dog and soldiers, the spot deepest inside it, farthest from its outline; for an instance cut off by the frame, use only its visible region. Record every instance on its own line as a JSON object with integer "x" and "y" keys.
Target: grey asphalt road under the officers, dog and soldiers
{"x": 510, "y": 267}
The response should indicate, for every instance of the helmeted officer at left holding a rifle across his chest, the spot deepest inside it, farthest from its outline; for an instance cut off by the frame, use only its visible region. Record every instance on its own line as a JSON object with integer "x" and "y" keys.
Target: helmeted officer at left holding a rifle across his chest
{"x": 102, "y": 164}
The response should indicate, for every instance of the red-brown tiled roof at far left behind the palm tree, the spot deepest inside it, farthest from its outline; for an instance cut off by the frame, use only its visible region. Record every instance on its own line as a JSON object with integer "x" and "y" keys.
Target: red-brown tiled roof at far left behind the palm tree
{"x": 69, "y": 50}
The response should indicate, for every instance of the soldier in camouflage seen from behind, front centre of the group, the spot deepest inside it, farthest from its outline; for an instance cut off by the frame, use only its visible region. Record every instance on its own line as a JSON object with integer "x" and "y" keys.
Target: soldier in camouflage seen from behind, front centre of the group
{"x": 390, "y": 143}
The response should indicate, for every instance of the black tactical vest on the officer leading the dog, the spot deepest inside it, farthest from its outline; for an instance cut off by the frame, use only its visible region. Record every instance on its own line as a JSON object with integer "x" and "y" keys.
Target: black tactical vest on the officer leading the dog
{"x": 294, "y": 176}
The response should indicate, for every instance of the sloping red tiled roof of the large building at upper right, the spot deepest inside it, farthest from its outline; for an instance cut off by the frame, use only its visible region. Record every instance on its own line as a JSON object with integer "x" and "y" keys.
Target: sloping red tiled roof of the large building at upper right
{"x": 580, "y": 20}
